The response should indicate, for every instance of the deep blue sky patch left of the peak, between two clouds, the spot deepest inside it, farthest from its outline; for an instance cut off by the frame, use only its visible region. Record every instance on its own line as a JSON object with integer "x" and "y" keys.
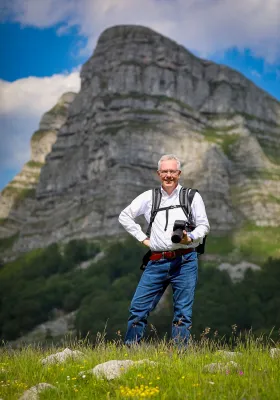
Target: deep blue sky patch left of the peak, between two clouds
{"x": 36, "y": 52}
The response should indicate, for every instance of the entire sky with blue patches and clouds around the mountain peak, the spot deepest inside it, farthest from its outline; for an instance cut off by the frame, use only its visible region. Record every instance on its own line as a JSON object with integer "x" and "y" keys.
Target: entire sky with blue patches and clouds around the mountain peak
{"x": 46, "y": 42}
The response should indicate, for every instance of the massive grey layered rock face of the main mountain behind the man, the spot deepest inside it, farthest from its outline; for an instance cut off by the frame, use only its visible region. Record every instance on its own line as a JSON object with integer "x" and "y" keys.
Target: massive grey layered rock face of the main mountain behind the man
{"x": 143, "y": 95}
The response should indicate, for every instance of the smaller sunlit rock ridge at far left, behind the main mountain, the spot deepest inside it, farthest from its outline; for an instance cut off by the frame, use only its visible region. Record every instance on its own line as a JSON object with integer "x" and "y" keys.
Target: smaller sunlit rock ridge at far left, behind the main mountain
{"x": 18, "y": 197}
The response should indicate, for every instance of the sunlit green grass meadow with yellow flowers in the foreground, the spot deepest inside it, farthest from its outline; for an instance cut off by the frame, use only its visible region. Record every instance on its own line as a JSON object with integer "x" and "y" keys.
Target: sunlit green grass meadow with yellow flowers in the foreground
{"x": 175, "y": 376}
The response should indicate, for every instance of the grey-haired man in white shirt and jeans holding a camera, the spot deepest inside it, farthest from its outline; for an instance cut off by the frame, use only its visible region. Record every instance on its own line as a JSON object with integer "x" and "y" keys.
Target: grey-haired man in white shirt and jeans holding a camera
{"x": 170, "y": 263}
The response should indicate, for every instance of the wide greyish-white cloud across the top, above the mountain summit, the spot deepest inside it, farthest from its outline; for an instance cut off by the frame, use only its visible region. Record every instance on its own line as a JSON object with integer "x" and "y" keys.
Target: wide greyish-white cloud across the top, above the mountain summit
{"x": 206, "y": 26}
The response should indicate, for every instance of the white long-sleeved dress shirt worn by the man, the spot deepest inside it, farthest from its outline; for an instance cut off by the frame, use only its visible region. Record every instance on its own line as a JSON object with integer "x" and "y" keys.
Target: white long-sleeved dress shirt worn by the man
{"x": 160, "y": 238}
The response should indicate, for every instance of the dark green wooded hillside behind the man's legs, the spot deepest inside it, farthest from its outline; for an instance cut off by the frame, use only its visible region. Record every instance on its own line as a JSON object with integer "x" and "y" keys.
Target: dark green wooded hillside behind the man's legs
{"x": 35, "y": 286}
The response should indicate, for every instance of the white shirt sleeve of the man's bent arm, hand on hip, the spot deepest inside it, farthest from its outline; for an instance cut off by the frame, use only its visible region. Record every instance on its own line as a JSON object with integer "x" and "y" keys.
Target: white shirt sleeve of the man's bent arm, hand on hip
{"x": 135, "y": 209}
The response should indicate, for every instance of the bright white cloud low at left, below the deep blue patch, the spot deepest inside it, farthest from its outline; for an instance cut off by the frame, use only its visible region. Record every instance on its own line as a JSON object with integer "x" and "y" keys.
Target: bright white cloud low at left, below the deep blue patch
{"x": 22, "y": 104}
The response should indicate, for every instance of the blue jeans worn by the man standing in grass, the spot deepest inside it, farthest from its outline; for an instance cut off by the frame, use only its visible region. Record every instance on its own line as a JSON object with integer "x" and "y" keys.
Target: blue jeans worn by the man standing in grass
{"x": 181, "y": 273}
